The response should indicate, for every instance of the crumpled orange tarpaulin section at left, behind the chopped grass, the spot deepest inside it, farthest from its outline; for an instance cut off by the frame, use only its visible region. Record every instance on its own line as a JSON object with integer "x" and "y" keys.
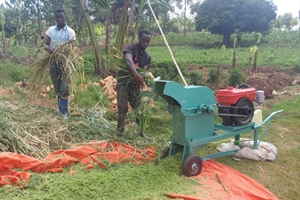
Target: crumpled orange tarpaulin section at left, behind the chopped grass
{"x": 87, "y": 154}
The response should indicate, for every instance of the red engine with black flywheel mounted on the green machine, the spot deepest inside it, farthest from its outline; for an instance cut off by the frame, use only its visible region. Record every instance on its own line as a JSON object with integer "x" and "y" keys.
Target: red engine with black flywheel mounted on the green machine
{"x": 235, "y": 105}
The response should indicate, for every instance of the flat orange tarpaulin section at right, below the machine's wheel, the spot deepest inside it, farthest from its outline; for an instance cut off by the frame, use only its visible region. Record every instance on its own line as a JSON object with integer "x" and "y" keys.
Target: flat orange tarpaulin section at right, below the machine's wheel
{"x": 237, "y": 186}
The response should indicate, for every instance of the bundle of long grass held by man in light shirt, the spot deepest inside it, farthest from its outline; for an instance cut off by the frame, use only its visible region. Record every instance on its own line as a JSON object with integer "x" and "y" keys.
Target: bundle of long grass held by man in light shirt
{"x": 68, "y": 55}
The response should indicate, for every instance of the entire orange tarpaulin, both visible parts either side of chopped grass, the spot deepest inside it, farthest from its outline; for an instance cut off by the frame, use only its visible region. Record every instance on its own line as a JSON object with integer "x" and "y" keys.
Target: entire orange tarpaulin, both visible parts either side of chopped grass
{"x": 236, "y": 186}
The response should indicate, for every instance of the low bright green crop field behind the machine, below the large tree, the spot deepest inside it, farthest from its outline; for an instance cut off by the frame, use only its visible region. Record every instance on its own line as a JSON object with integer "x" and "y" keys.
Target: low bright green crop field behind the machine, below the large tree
{"x": 268, "y": 55}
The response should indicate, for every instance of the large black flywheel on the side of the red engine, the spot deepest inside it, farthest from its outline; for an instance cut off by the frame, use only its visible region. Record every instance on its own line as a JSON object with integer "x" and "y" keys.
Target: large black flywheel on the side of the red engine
{"x": 249, "y": 111}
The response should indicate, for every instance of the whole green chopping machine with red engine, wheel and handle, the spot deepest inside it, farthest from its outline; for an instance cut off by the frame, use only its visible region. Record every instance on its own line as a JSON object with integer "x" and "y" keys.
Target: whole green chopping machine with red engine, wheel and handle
{"x": 193, "y": 110}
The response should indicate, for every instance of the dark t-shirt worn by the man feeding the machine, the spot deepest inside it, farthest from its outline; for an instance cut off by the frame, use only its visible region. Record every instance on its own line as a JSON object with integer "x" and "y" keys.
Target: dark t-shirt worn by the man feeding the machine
{"x": 140, "y": 58}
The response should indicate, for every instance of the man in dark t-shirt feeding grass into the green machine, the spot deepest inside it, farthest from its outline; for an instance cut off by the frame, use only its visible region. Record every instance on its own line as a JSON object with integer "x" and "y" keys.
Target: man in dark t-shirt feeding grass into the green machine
{"x": 135, "y": 56}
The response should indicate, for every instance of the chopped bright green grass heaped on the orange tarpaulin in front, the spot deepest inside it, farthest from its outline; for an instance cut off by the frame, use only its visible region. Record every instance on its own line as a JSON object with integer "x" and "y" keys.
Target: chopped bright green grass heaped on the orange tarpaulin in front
{"x": 125, "y": 181}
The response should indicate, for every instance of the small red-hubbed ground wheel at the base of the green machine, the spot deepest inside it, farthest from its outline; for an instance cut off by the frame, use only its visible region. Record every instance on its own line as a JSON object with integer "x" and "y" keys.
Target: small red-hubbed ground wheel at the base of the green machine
{"x": 192, "y": 166}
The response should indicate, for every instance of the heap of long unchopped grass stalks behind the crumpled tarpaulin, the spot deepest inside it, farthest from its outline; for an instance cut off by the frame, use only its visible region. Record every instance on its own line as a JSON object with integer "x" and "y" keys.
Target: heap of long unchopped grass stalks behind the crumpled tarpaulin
{"x": 36, "y": 130}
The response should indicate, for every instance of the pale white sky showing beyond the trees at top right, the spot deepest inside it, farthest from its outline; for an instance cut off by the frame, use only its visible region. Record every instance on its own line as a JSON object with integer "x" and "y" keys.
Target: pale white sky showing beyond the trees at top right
{"x": 283, "y": 6}
